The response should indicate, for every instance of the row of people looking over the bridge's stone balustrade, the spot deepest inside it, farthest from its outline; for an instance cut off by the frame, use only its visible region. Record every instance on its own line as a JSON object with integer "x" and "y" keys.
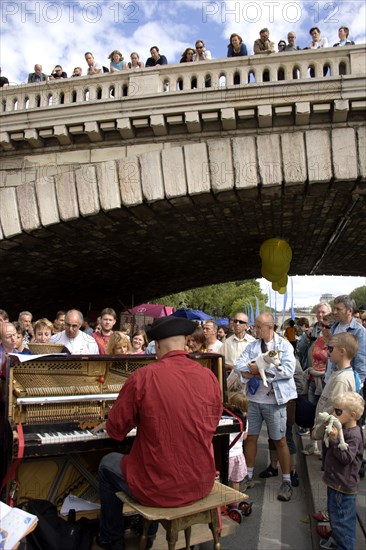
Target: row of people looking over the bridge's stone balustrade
{"x": 198, "y": 53}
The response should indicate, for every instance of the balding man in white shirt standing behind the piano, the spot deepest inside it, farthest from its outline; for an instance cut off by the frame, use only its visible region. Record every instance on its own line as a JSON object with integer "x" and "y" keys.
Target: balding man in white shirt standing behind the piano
{"x": 76, "y": 341}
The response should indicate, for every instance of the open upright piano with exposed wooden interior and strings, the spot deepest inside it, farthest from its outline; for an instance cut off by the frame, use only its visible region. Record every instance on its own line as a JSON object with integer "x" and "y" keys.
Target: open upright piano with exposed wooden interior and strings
{"x": 50, "y": 404}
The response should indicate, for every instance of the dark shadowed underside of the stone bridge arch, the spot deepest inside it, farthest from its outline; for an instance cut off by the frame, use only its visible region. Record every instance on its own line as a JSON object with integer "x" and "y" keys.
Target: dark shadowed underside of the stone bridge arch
{"x": 135, "y": 254}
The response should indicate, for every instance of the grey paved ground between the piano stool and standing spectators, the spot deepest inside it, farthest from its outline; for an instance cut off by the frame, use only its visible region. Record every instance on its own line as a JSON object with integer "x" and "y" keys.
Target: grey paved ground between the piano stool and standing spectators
{"x": 275, "y": 525}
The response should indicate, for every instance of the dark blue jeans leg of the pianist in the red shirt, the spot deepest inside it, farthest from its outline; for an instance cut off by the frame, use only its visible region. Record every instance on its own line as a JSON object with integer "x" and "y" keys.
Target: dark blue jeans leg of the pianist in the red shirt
{"x": 110, "y": 481}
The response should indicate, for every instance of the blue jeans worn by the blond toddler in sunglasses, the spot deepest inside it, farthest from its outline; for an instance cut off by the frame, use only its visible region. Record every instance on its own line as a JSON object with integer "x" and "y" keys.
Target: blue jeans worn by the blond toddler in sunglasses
{"x": 342, "y": 516}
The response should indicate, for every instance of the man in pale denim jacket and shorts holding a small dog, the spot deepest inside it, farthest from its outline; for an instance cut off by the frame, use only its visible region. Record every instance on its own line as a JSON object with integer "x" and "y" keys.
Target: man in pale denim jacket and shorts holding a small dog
{"x": 268, "y": 403}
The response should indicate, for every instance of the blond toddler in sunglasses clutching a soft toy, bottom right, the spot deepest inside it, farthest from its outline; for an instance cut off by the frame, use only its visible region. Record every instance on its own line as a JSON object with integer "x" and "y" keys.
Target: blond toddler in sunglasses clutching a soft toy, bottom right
{"x": 341, "y": 472}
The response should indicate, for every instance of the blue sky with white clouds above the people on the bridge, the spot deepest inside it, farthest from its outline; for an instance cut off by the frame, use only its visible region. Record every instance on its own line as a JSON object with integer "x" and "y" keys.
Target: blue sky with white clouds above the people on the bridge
{"x": 60, "y": 31}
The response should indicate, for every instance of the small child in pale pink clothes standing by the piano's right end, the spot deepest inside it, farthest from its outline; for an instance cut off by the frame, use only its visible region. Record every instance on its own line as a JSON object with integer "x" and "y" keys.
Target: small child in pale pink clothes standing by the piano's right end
{"x": 238, "y": 403}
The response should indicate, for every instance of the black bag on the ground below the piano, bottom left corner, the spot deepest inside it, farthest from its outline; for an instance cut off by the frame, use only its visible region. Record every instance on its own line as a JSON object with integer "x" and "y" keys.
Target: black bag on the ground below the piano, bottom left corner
{"x": 54, "y": 533}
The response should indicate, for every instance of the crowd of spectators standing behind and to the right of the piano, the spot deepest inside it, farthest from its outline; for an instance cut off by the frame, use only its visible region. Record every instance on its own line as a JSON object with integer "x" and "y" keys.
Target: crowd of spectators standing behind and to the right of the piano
{"x": 321, "y": 364}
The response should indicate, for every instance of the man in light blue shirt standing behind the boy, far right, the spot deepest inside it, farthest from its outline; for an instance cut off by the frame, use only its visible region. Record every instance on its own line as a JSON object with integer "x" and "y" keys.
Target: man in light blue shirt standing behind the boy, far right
{"x": 343, "y": 309}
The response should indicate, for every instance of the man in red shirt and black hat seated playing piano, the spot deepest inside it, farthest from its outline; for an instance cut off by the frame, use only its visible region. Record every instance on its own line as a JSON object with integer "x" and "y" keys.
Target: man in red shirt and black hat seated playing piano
{"x": 176, "y": 404}
